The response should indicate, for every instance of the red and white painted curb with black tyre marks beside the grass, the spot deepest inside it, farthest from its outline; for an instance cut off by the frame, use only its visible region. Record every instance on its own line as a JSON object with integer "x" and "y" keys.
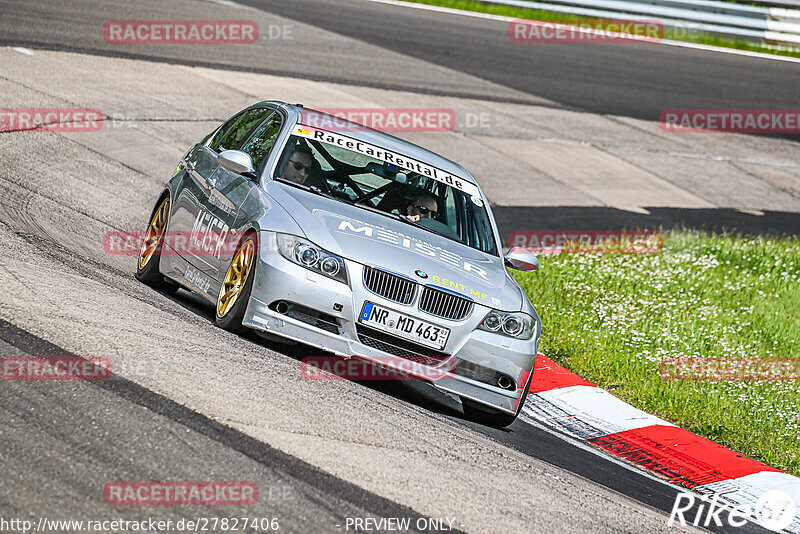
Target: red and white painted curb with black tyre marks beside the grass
{"x": 562, "y": 400}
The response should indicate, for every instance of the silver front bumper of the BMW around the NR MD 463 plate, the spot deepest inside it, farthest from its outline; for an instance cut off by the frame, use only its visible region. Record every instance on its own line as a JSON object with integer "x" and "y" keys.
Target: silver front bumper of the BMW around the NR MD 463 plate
{"x": 280, "y": 280}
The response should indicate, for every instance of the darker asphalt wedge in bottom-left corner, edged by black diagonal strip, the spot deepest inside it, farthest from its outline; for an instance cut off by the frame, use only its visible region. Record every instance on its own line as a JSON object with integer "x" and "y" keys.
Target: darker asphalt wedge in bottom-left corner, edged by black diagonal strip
{"x": 77, "y": 435}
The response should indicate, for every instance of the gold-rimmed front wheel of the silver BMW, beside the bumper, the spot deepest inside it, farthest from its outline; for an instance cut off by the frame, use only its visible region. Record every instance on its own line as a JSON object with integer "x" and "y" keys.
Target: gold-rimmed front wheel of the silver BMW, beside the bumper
{"x": 234, "y": 294}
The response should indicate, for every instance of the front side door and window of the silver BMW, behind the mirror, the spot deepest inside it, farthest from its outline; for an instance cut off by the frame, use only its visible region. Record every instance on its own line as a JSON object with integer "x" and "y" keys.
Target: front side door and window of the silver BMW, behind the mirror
{"x": 221, "y": 215}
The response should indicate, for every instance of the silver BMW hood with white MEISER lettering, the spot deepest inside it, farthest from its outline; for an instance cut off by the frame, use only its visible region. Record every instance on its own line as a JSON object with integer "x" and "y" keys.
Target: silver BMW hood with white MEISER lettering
{"x": 406, "y": 249}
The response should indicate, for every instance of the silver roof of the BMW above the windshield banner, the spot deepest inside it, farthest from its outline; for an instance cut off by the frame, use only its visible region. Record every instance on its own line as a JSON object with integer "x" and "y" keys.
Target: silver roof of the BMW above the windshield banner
{"x": 368, "y": 135}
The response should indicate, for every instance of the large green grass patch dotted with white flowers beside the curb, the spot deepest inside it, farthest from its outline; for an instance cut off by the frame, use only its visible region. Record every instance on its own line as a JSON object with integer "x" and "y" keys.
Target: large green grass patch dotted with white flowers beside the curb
{"x": 612, "y": 318}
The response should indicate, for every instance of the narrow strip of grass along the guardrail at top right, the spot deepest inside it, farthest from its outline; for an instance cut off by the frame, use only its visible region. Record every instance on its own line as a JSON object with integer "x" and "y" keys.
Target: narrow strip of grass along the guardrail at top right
{"x": 539, "y": 14}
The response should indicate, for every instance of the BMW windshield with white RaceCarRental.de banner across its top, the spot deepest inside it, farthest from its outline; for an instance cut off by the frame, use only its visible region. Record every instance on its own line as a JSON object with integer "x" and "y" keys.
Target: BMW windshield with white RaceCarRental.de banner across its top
{"x": 380, "y": 180}
